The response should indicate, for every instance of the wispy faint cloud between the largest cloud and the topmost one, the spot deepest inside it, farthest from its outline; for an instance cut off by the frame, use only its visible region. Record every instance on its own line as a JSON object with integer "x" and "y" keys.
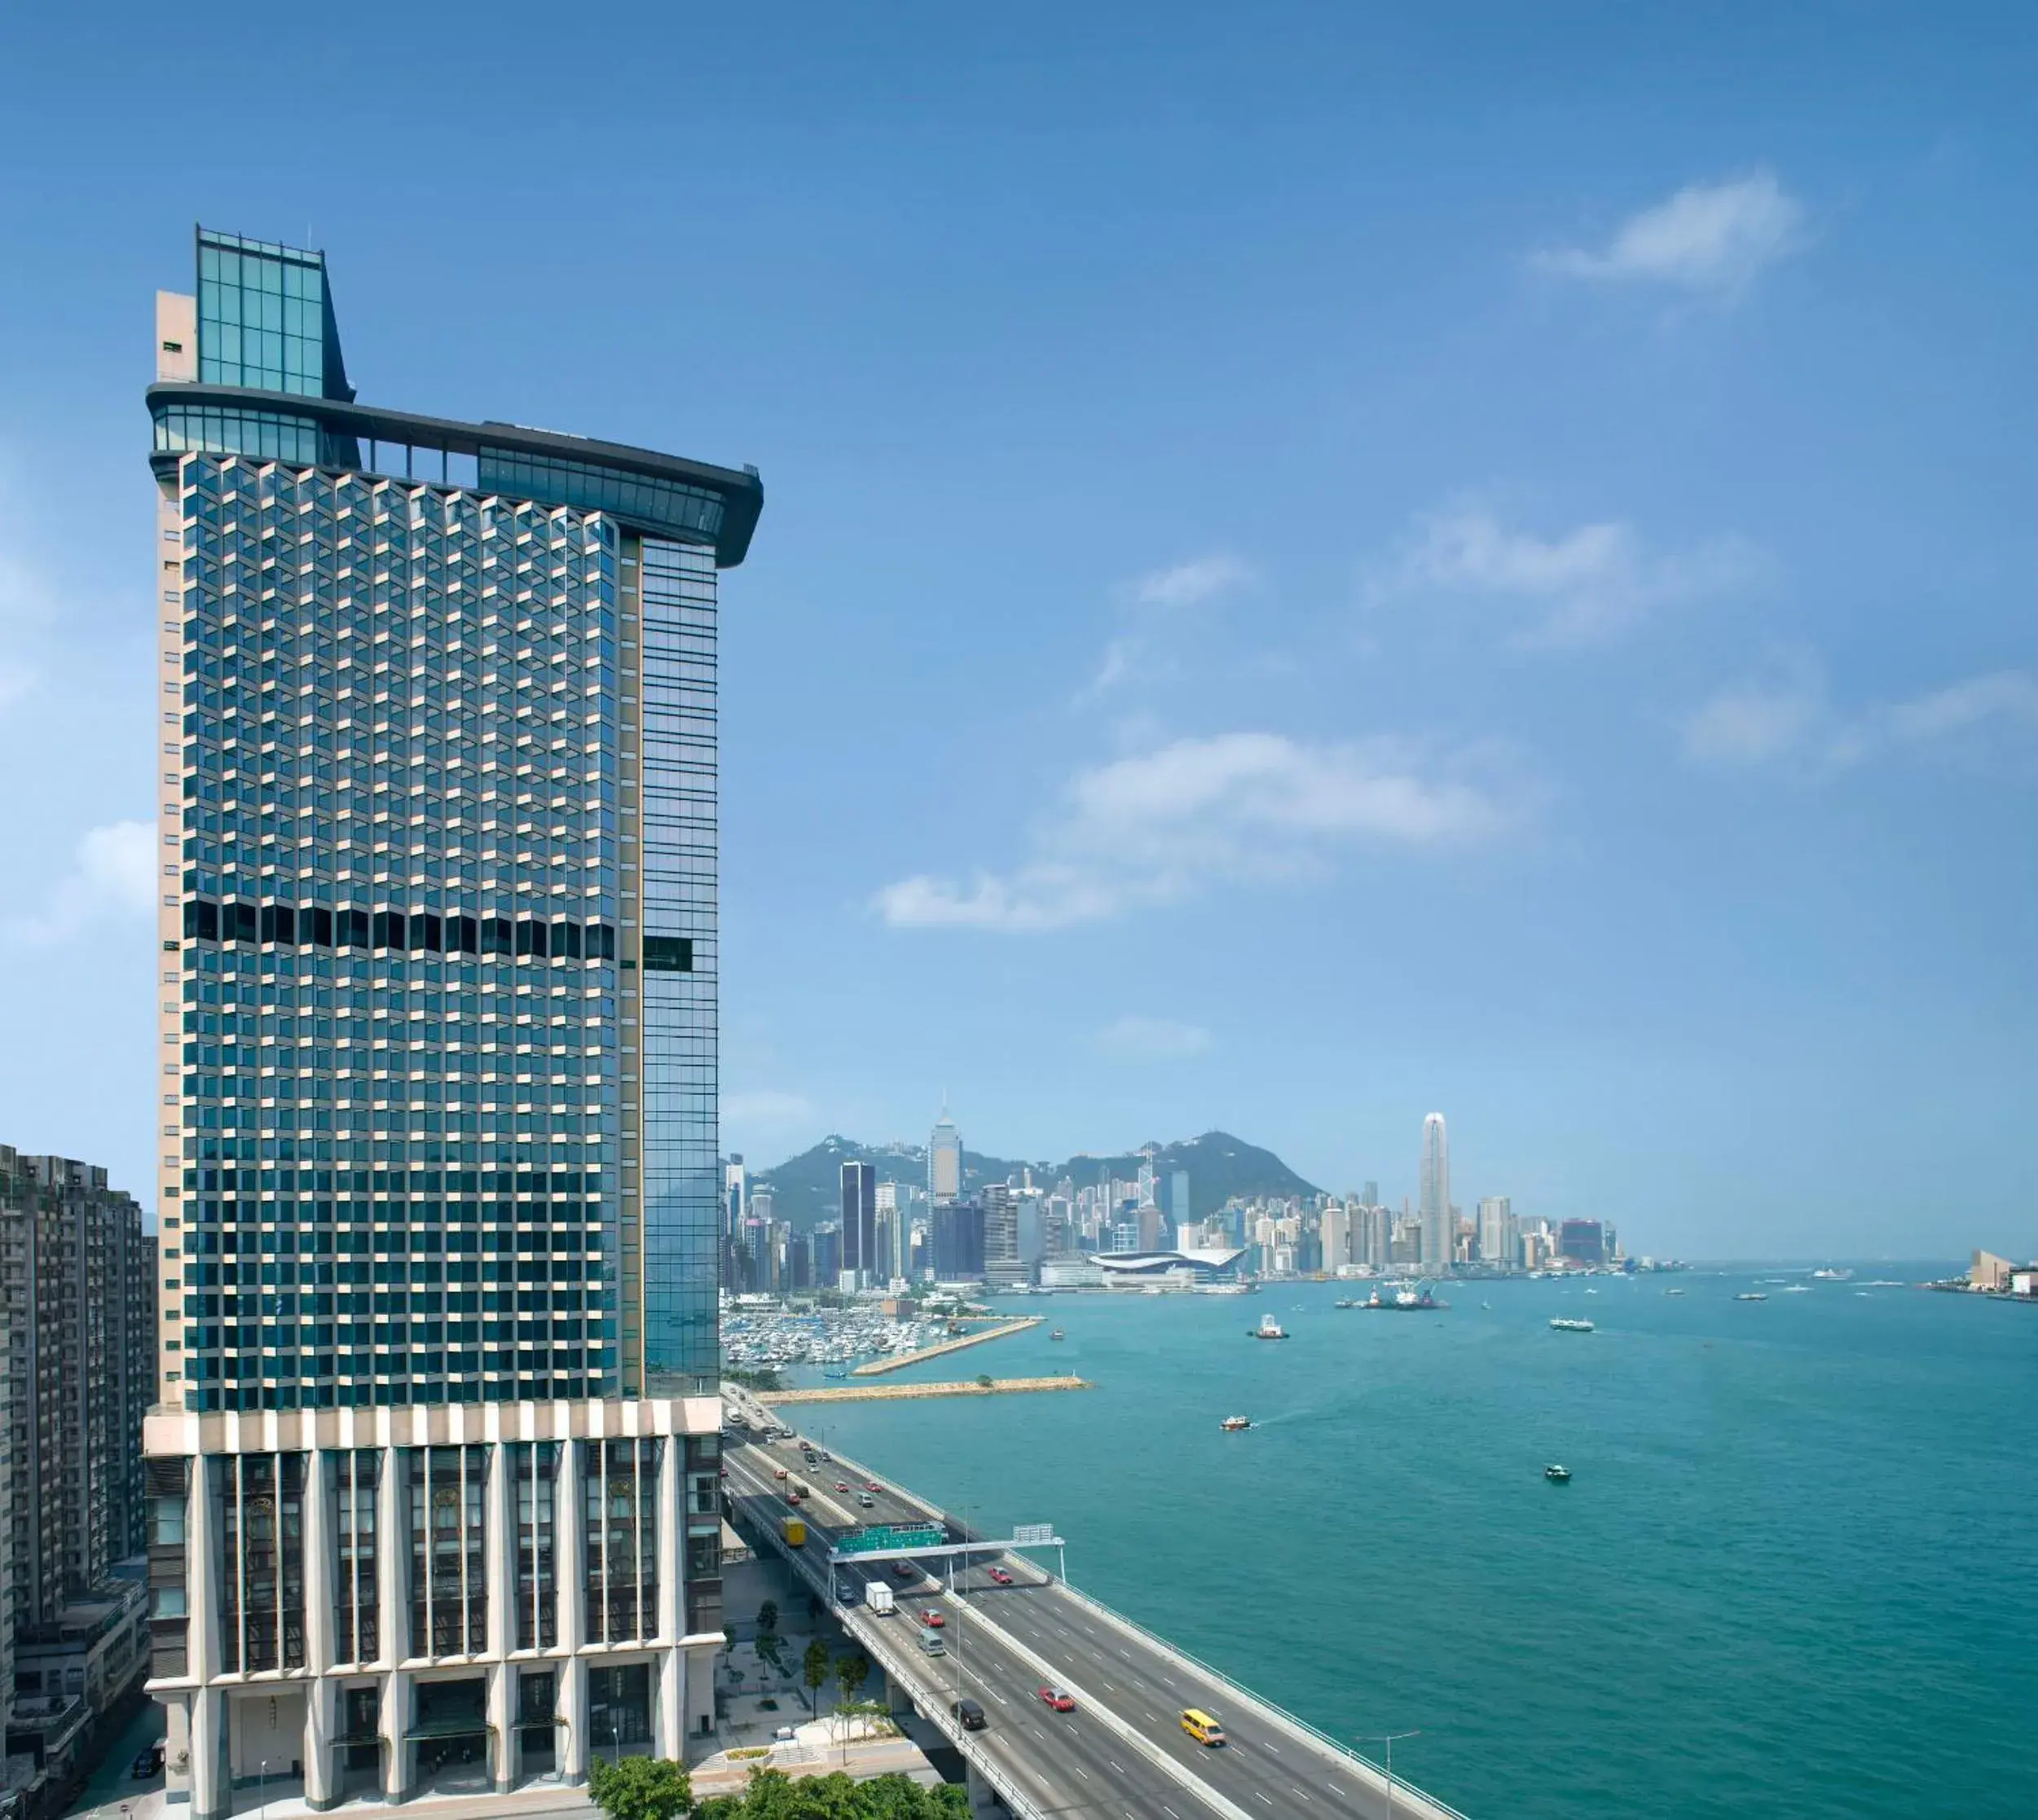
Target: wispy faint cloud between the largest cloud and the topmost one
{"x": 1583, "y": 586}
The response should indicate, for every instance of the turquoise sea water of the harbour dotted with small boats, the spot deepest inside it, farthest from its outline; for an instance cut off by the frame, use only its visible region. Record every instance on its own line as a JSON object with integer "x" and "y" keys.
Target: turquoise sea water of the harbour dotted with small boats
{"x": 1796, "y": 1572}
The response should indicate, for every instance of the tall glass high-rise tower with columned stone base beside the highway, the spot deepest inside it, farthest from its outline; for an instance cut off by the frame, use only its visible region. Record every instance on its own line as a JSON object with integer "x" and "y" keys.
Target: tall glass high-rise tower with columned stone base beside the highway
{"x": 433, "y": 1481}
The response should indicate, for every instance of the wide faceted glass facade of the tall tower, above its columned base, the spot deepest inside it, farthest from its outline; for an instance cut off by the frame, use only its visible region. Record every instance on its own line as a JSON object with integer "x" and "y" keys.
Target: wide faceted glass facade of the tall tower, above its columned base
{"x": 403, "y": 900}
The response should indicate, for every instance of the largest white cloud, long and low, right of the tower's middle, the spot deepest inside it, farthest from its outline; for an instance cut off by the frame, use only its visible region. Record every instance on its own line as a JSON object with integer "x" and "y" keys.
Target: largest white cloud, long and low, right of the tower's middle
{"x": 1169, "y": 824}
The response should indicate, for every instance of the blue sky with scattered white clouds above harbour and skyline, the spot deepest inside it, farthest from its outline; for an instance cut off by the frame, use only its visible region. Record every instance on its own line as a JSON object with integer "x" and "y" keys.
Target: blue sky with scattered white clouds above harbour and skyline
{"x": 1320, "y": 564}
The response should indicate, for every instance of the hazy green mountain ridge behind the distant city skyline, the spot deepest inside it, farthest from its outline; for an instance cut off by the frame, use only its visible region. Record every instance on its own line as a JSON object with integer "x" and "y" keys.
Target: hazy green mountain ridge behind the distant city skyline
{"x": 808, "y": 1187}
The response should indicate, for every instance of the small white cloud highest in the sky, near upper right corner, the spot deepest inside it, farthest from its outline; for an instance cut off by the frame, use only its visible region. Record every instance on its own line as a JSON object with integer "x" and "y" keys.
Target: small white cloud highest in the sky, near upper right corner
{"x": 1709, "y": 237}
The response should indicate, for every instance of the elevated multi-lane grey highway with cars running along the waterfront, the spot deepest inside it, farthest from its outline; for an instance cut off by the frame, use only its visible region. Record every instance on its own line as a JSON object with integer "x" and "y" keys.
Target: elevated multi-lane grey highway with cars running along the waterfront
{"x": 1124, "y": 1750}
